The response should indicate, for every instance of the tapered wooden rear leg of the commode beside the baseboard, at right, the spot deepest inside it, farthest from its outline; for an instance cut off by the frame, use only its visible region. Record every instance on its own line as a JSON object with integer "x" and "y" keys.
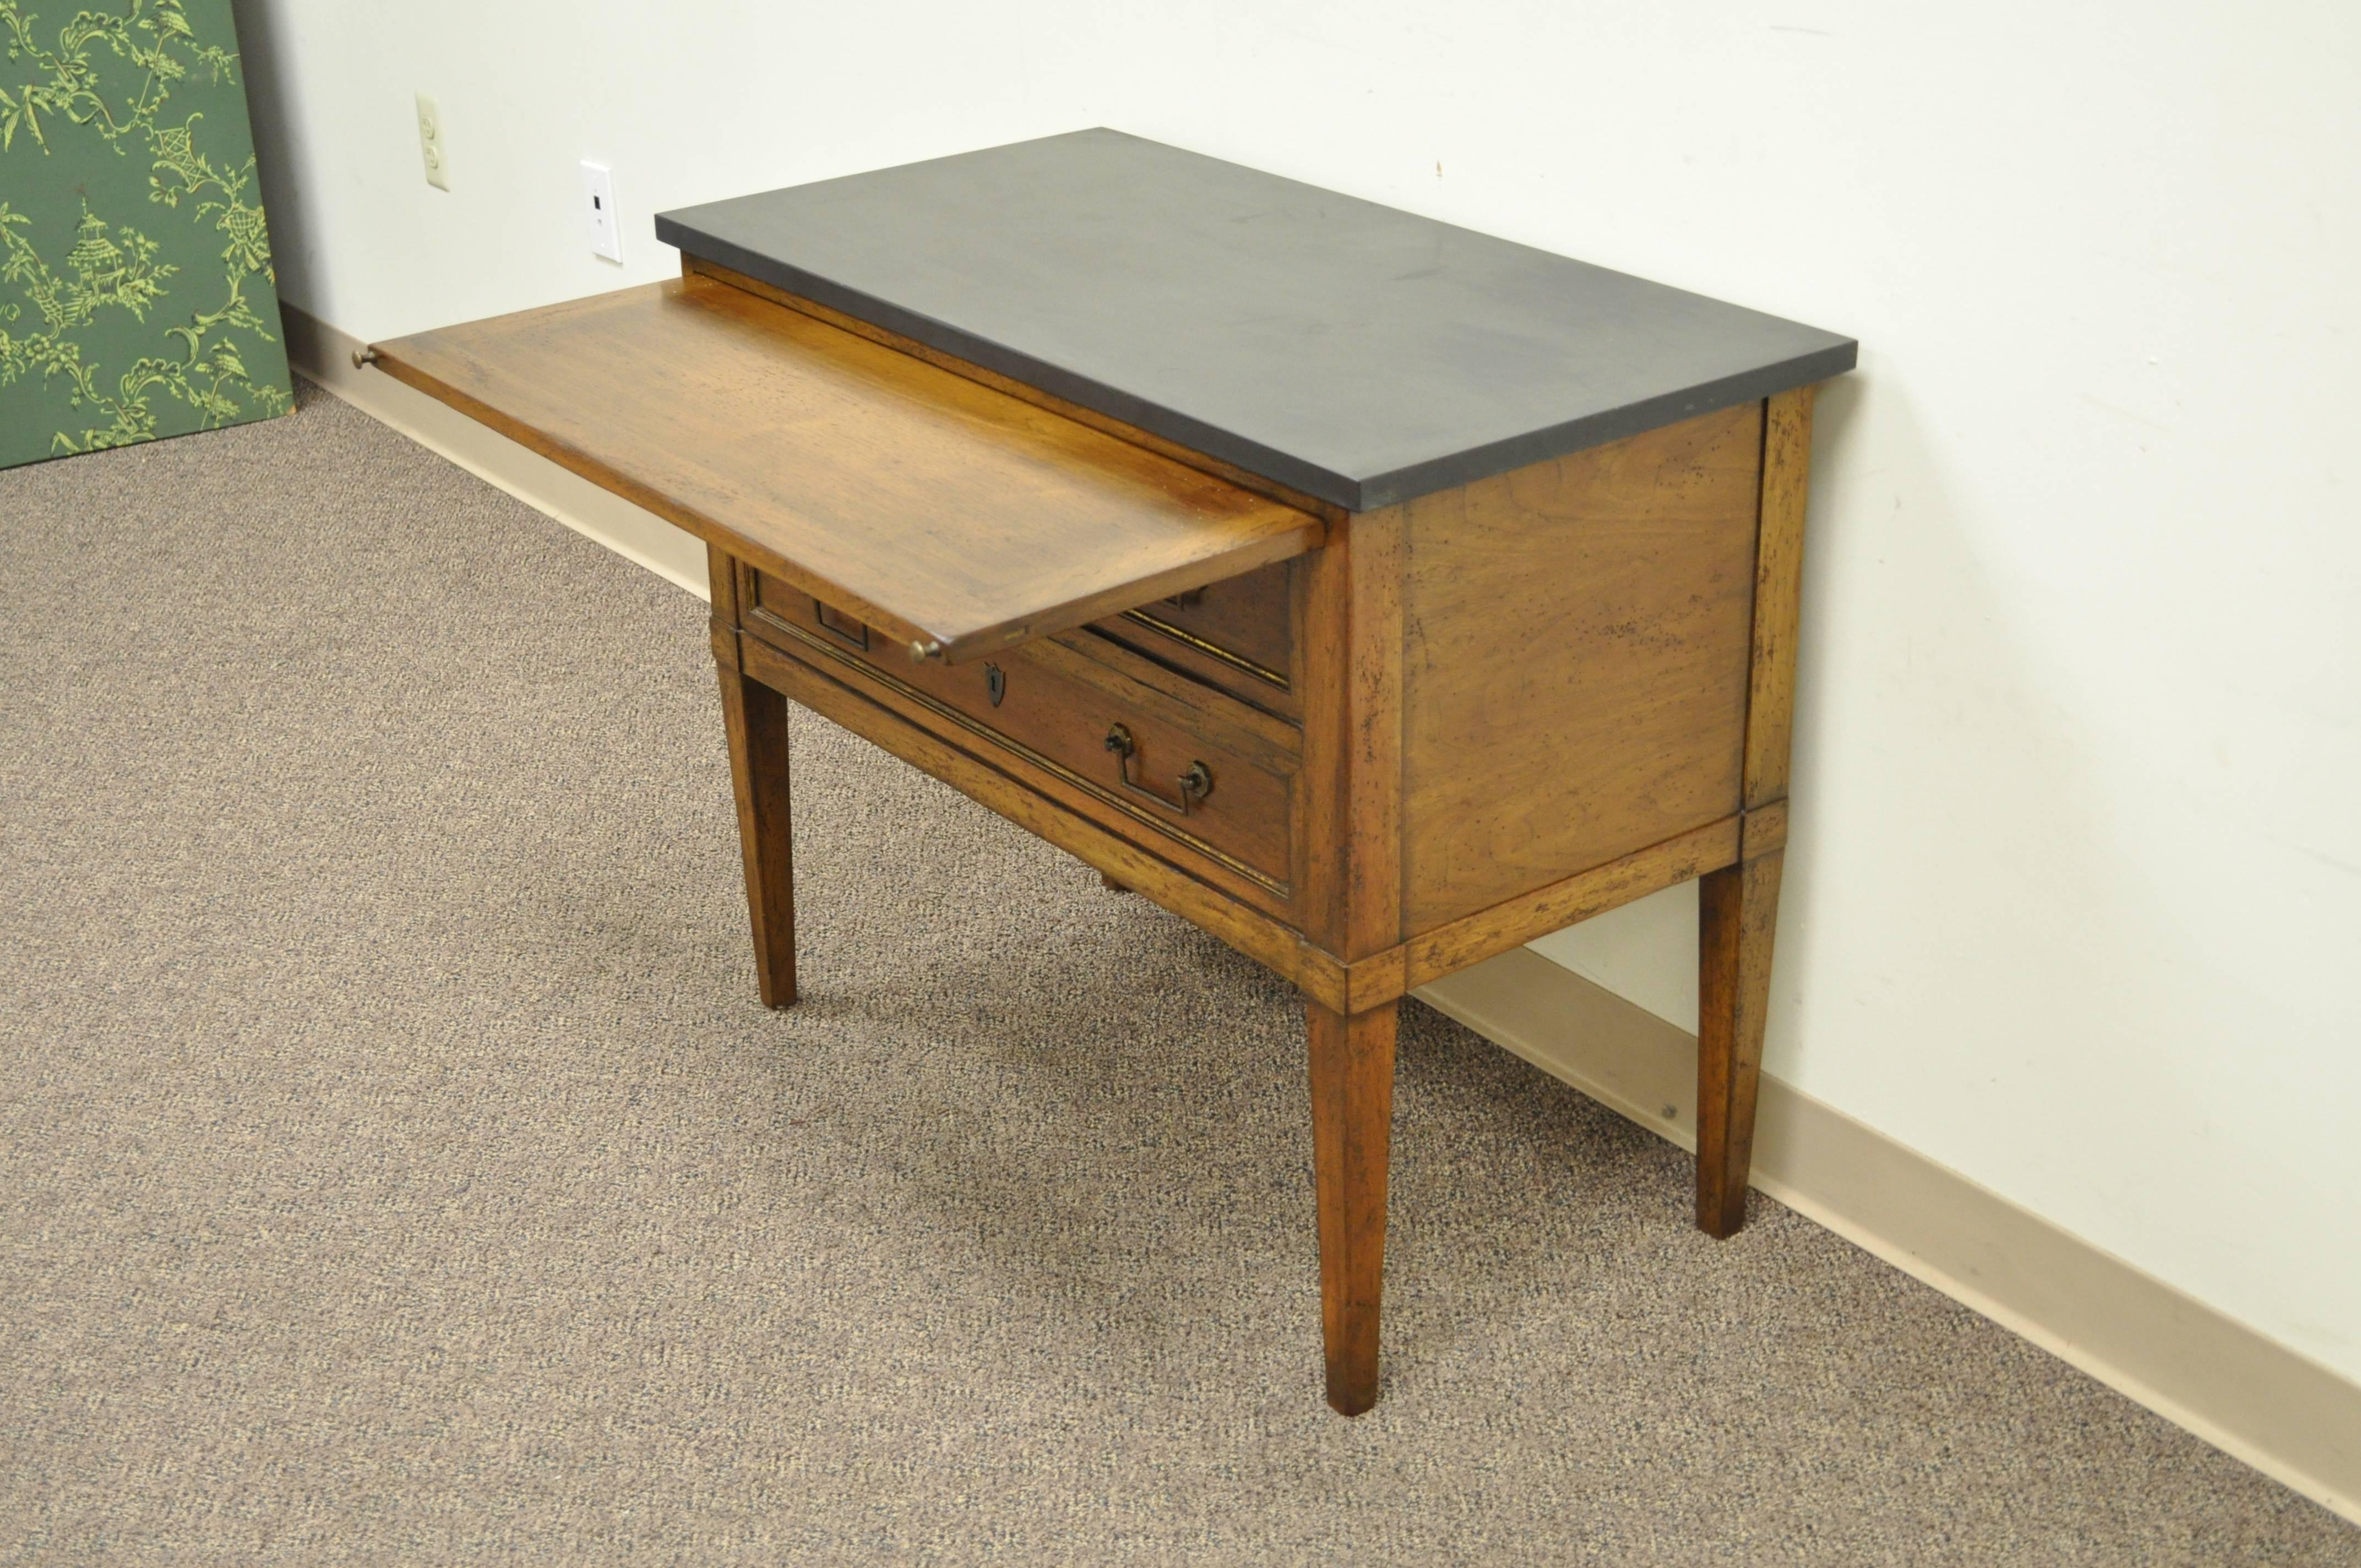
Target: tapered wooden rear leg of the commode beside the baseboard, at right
{"x": 1737, "y": 920}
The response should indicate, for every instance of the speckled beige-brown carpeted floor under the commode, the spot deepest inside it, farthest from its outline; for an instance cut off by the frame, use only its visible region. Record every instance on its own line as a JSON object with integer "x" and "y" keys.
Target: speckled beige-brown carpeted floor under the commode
{"x": 395, "y": 1165}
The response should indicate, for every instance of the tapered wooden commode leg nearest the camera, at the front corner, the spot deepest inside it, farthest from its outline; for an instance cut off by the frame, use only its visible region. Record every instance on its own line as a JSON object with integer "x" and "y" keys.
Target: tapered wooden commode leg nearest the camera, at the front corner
{"x": 1352, "y": 1137}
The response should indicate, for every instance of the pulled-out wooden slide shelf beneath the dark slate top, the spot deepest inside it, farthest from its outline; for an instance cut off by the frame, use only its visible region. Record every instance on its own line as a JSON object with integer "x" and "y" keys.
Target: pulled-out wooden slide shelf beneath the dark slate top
{"x": 920, "y": 502}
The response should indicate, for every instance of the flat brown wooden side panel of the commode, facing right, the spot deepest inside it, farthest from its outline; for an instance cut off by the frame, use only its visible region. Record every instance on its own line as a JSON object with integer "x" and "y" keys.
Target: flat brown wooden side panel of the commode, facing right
{"x": 1578, "y": 651}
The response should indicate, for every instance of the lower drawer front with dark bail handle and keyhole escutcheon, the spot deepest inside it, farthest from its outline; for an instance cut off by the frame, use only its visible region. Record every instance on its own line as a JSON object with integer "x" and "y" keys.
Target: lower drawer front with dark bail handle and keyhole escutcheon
{"x": 1168, "y": 757}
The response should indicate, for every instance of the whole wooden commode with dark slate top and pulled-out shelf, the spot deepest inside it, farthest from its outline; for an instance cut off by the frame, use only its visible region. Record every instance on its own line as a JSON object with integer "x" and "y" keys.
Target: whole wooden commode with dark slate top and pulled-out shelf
{"x": 1373, "y": 594}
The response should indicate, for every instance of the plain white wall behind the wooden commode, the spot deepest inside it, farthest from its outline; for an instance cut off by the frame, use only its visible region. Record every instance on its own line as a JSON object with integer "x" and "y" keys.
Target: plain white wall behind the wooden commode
{"x": 2074, "y": 899}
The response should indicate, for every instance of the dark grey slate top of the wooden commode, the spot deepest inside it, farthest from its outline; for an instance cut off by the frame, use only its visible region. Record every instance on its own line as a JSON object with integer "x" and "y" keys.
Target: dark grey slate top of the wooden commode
{"x": 1349, "y": 351}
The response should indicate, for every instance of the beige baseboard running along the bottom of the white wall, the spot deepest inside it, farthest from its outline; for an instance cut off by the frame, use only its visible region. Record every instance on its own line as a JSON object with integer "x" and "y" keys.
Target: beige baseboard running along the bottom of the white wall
{"x": 2232, "y": 1387}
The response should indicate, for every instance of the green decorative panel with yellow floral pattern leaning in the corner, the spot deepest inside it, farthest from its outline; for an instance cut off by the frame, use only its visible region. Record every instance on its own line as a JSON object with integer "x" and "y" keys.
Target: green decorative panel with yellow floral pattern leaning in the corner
{"x": 136, "y": 275}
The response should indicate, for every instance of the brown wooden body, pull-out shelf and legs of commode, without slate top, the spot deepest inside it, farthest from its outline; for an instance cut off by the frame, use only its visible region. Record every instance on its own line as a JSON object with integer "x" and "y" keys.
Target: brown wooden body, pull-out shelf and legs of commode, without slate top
{"x": 1430, "y": 731}
